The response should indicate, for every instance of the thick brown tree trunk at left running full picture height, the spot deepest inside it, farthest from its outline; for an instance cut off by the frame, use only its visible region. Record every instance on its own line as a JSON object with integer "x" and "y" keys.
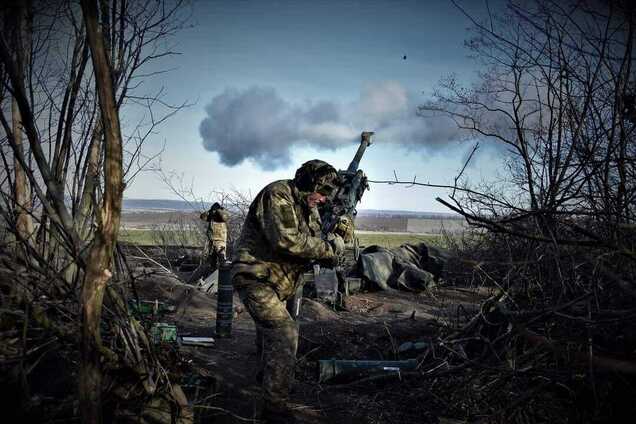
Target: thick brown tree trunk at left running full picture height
{"x": 98, "y": 263}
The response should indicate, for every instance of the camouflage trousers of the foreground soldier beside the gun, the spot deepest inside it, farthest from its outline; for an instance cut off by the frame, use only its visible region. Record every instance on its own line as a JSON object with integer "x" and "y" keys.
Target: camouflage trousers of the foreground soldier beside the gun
{"x": 276, "y": 338}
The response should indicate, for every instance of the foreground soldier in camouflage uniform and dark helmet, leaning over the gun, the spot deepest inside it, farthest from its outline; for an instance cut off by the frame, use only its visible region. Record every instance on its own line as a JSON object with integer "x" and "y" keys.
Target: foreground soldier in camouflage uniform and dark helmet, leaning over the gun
{"x": 280, "y": 237}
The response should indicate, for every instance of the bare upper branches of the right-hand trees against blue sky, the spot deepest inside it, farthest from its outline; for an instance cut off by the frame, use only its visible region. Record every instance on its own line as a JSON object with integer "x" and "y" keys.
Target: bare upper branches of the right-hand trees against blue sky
{"x": 552, "y": 96}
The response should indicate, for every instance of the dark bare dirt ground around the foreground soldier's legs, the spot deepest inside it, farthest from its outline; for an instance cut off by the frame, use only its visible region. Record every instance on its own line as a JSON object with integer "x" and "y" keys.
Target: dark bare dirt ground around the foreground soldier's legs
{"x": 370, "y": 325}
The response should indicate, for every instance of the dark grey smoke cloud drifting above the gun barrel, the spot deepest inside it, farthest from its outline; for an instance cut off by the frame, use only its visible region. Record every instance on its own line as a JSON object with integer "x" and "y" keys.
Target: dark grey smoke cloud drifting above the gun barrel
{"x": 258, "y": 124}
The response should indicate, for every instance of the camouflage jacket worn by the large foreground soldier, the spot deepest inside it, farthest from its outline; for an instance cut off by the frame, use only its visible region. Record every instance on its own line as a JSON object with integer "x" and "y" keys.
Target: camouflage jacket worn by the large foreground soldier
{"x": 280, "y": 236}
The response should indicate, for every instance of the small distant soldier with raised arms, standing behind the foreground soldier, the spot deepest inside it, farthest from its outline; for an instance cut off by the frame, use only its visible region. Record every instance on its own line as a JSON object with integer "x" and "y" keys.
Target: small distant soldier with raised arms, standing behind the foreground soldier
{"x": 216, "y": 244}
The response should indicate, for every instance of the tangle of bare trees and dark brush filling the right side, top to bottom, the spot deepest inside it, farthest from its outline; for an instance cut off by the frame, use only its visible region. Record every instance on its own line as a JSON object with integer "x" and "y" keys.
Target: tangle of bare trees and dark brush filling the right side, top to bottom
{"x": 555, "y": 95}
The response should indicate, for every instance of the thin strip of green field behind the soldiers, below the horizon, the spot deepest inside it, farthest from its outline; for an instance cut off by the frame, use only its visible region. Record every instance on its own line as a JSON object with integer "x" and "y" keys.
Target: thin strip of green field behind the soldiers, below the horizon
{"x": 192, "y": 238}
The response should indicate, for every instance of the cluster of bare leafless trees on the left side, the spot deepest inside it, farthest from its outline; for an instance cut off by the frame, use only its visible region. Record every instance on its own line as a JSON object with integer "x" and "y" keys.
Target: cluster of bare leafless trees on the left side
{"x": 66, "y": 74}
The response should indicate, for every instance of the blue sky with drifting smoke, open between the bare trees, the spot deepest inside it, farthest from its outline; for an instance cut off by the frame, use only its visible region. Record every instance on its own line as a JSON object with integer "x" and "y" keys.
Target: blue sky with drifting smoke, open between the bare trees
{"x": 272, "y": 84}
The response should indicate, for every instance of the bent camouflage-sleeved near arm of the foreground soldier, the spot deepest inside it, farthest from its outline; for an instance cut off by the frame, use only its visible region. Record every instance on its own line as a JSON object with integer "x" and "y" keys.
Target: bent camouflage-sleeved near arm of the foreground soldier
{"x": 281, "y": 226}
